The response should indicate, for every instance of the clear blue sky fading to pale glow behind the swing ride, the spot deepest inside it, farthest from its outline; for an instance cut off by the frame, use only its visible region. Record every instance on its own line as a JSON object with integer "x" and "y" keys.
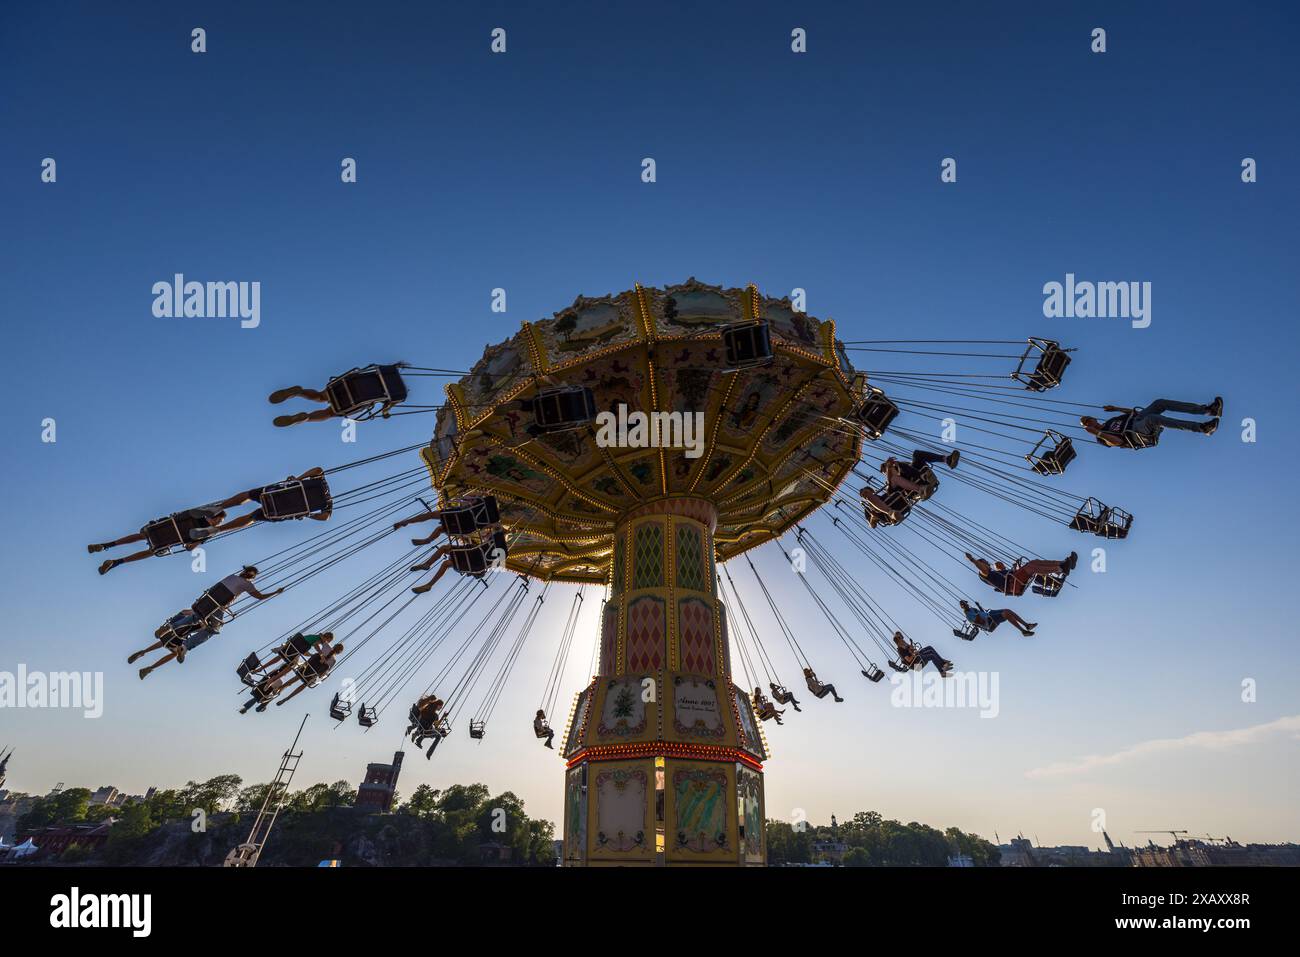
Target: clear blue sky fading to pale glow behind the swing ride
{"x": 523, "y": 172}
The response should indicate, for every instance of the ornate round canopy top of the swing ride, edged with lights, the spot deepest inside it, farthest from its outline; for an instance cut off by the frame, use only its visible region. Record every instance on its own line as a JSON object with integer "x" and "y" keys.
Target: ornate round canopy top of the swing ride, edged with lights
{"x": 774, "y": 444}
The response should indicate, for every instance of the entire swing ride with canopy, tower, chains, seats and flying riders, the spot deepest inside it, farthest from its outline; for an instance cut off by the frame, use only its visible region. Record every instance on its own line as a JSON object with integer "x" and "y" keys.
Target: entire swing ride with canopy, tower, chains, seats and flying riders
{"x": 665, "y": 752}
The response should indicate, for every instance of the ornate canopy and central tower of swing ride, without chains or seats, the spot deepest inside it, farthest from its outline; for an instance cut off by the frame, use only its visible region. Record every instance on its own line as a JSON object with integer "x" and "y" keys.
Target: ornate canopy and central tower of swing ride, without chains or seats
{"x": 665, "y": 754}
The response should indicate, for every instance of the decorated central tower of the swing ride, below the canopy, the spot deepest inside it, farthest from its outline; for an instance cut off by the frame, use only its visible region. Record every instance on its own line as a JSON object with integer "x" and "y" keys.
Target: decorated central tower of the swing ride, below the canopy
{"x": 665, "y": 754}
